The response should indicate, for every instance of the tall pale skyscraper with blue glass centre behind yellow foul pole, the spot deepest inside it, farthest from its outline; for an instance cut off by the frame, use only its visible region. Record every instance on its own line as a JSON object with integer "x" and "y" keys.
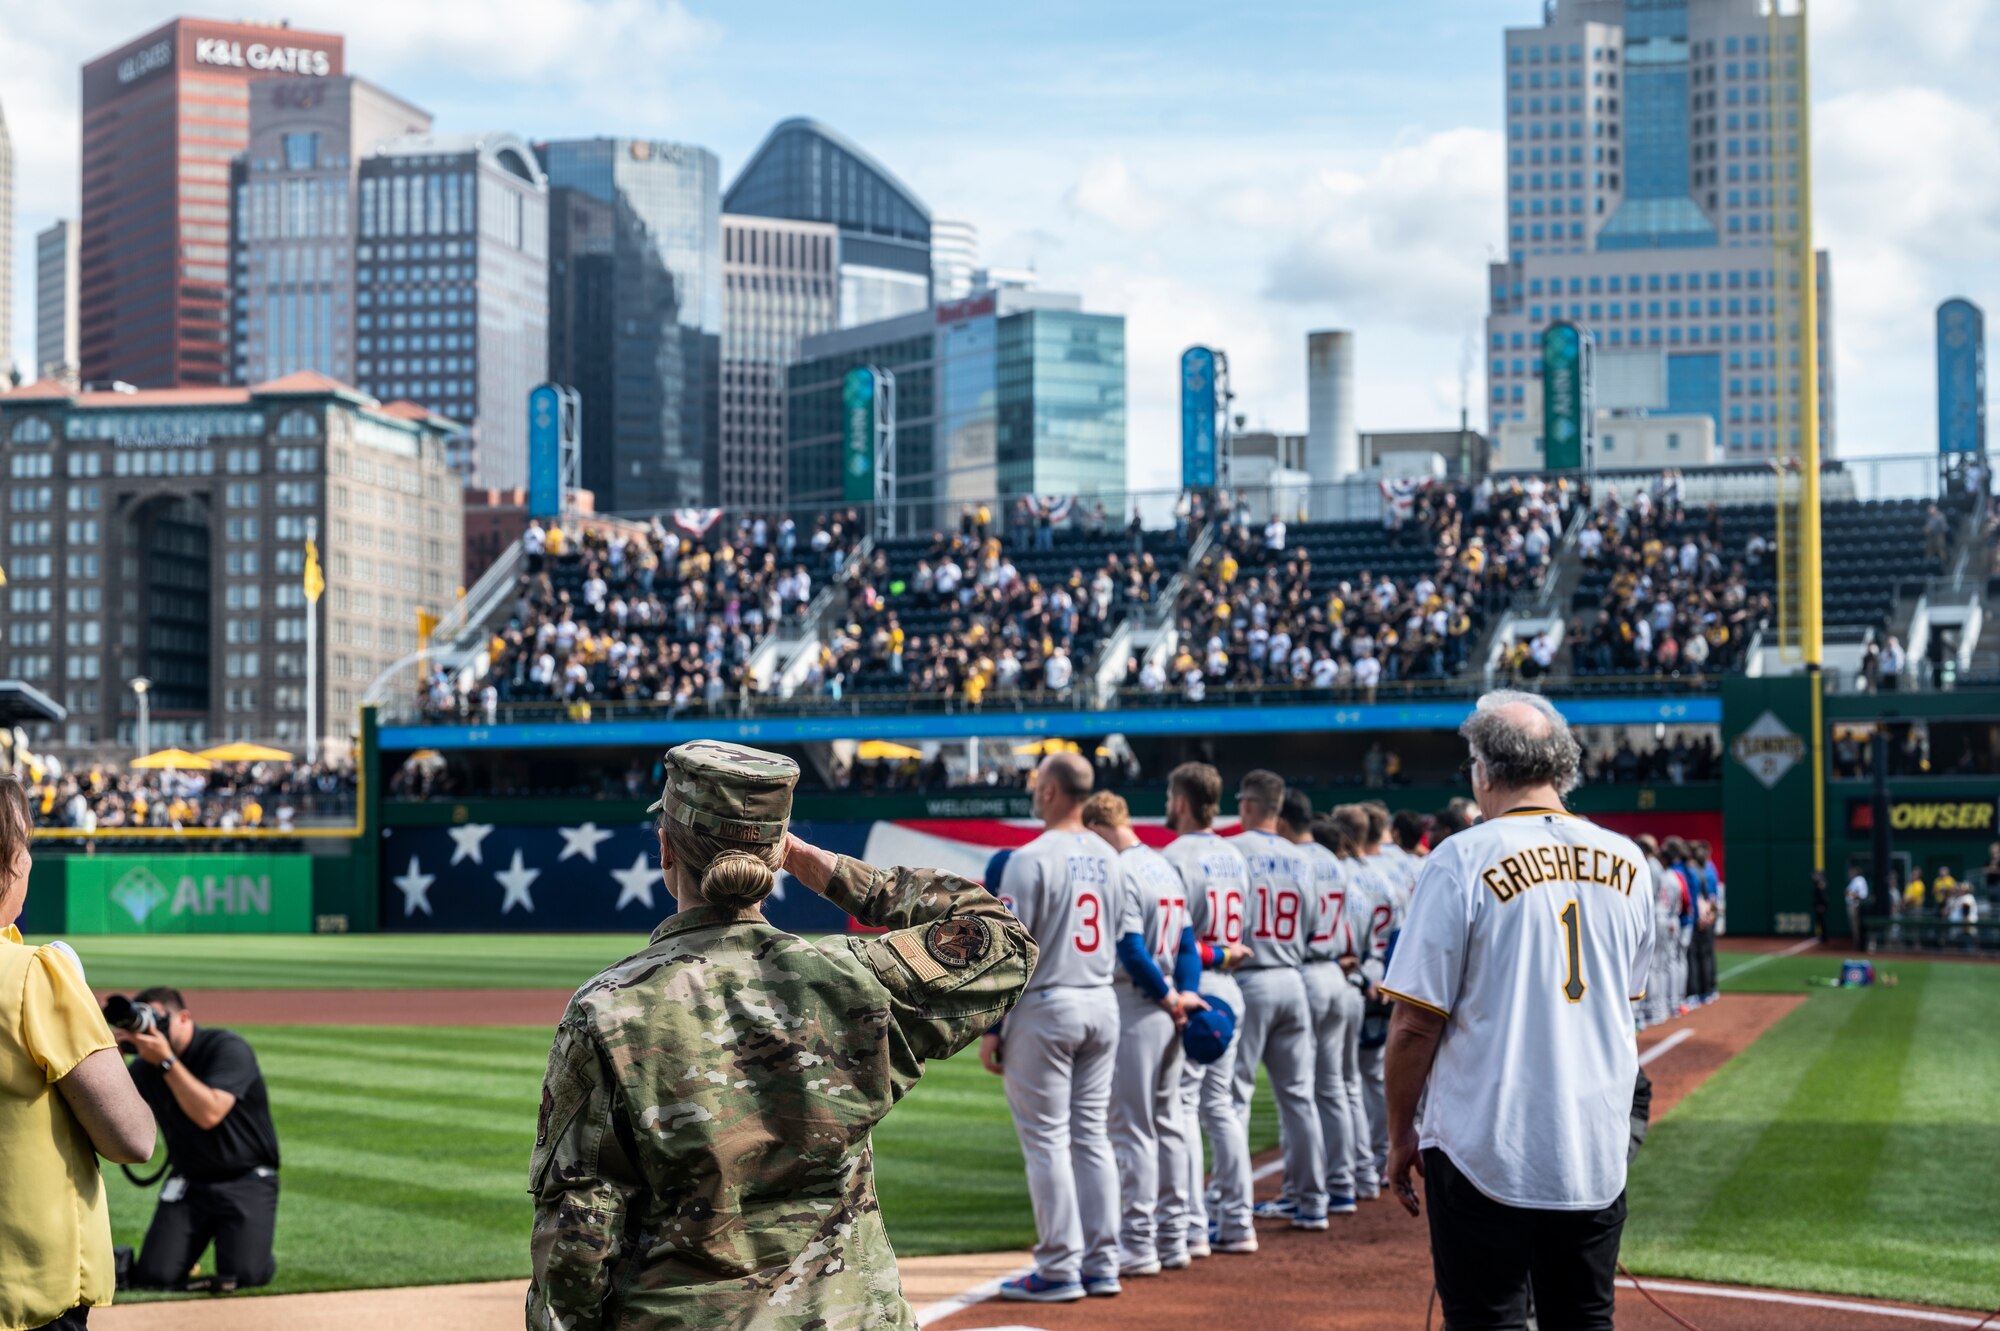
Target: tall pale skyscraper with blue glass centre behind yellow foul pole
{"x": 1653, "y": 163}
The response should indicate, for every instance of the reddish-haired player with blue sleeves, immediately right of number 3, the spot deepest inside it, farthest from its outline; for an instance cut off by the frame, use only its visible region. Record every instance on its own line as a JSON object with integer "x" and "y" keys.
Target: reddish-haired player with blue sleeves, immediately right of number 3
{"x": 1159, "y": 986}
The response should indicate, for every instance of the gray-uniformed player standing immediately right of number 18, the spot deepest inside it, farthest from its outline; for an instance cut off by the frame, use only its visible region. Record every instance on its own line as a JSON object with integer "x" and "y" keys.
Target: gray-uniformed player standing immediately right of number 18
{"x": 1335, "y": 1022}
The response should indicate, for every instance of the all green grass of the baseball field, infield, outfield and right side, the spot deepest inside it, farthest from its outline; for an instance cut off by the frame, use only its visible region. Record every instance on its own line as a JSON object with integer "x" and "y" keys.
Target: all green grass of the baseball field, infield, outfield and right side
{"x": 1849, "y": 1152}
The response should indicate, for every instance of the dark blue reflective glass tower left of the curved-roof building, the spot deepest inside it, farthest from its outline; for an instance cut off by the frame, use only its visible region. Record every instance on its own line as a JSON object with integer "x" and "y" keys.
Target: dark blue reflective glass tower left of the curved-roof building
{"x": 653, "y": 443}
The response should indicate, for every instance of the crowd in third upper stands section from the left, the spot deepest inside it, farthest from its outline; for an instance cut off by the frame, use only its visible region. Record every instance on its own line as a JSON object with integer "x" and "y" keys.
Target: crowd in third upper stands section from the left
{"x": 1265, "y": 611}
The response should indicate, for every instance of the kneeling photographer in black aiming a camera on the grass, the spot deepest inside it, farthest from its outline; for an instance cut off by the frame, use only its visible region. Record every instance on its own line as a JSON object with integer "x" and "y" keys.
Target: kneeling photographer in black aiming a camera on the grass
{"x": 209, "y": 1098}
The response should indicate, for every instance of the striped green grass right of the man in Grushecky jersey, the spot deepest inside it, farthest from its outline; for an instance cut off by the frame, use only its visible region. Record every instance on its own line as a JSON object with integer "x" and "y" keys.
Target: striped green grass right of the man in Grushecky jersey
{"x": 1851, "y": 1150}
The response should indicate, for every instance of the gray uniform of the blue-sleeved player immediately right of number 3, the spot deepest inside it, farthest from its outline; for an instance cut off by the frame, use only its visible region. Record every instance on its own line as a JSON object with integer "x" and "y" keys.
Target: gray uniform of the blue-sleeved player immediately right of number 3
{"x": 1149, "y": 1134}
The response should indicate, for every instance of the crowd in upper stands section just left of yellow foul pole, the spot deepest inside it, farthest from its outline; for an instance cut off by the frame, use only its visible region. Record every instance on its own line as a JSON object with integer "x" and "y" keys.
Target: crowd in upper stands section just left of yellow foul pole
{"x": 1675, "y": 601}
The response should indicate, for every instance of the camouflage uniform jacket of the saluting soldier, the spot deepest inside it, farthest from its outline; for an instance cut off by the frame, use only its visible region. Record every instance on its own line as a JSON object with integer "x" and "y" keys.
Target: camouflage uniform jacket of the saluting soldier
{"x": 703, "y": 1156}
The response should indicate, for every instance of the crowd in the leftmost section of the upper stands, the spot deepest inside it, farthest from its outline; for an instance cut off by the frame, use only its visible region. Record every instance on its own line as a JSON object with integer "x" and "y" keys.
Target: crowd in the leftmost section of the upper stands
{"x": 665, "y": 613}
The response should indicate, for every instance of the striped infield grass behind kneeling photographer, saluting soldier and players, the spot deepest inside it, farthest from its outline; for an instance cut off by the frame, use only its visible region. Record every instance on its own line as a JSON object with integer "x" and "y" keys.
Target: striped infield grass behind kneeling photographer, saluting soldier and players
{"x": 407, "y": 1156}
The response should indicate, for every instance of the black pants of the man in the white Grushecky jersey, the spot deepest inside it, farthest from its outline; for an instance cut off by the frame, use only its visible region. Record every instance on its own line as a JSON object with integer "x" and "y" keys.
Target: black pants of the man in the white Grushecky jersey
{"x": 1487, "y": 1256}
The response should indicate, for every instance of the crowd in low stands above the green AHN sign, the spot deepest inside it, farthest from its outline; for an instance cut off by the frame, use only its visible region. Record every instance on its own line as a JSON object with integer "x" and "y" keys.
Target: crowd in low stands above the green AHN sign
{"x": 227, "y": 798}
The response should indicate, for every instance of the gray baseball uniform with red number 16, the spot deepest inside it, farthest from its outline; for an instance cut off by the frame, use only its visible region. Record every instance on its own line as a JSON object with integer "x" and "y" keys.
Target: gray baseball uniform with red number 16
{"x": 1219, "y": 890}
